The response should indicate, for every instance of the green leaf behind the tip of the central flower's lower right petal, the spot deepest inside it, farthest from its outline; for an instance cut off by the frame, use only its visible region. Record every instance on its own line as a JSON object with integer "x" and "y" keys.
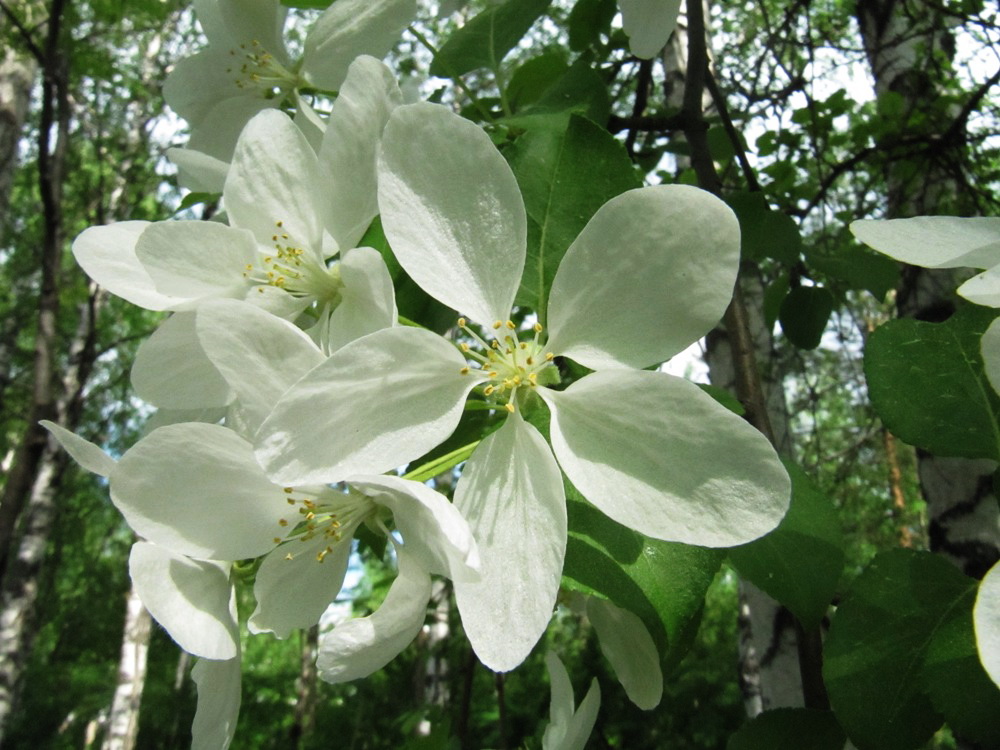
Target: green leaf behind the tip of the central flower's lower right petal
{"x": 799, "y": 563}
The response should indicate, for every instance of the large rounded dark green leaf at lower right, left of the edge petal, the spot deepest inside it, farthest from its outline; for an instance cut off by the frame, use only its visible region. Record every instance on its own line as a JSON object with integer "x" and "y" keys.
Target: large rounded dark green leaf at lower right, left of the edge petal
{"x": 874, "y": 653}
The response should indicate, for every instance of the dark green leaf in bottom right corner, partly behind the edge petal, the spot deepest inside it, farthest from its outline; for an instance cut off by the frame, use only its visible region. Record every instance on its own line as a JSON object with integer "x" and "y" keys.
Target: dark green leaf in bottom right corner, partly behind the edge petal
{"x": 957, "y": 683}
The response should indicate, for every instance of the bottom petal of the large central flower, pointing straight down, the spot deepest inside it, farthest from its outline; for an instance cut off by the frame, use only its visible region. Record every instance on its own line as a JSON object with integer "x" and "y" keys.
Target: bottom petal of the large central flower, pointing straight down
{"x": 511, "y": 493}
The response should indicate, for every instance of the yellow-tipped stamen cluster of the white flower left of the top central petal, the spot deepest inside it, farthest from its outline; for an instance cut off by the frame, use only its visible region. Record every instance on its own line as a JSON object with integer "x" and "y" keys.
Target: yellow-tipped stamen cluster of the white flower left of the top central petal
{"x": 292, "y": 269}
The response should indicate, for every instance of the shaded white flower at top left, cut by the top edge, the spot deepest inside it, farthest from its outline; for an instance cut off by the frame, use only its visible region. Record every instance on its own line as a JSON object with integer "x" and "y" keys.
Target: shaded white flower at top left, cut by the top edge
{"x": 246, "y": 68}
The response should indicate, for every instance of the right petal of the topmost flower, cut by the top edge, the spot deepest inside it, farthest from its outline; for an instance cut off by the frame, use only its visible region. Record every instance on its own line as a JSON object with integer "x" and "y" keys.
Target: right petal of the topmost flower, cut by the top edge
{"x": 349, "y": 28}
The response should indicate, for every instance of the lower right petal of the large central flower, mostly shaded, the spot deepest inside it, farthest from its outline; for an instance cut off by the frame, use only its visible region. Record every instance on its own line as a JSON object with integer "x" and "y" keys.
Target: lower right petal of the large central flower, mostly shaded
{"x": 659, "y": 455}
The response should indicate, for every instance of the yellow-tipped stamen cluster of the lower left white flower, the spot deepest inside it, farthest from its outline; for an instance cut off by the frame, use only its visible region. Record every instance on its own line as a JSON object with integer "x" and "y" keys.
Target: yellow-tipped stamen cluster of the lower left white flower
{"x": 322, "y": 512}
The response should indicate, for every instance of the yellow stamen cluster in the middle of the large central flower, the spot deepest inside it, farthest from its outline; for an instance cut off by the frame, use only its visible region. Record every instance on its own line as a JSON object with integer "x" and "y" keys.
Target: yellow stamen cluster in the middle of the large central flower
{"x": 509, "y": 363}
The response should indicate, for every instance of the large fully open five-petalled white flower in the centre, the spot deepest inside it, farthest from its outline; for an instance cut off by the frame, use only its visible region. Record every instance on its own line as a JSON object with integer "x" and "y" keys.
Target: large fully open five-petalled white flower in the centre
{"x": 651, "y": 273}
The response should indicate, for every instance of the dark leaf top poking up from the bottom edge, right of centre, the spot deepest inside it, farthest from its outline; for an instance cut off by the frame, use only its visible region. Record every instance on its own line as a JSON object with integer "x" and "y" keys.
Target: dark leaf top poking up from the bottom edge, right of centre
{"x": 787, "y": 729}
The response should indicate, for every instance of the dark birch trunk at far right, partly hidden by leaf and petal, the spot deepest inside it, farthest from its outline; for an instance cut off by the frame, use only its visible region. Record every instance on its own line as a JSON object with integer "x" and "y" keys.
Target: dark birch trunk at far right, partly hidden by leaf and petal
{"x": 909, "y": 48}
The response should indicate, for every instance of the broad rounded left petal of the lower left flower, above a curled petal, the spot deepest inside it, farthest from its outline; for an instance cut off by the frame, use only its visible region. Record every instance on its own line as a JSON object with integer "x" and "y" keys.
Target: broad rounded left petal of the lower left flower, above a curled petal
{"x": 195, "y": 489}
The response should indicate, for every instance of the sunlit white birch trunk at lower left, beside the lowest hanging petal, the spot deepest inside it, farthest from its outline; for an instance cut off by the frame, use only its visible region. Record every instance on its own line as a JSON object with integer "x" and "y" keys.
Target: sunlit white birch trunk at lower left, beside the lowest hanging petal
{"x": 123, "y": 721}
